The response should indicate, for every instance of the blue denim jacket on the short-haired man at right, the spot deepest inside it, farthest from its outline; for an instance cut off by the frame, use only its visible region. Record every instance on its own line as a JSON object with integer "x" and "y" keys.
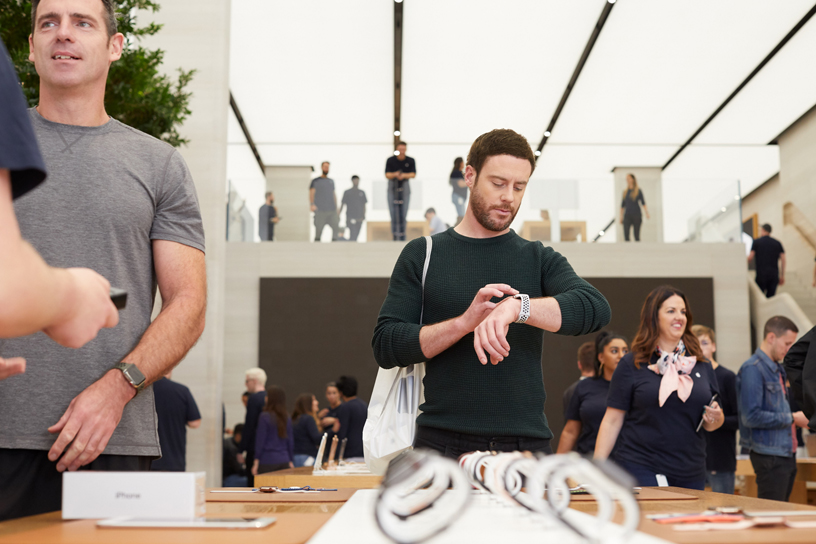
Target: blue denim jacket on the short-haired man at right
{"x": 765, "y": 416}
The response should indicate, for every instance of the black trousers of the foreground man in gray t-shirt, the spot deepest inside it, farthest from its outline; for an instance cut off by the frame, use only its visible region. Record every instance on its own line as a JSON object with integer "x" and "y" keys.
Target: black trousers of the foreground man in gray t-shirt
{"x": 30, "y": 483}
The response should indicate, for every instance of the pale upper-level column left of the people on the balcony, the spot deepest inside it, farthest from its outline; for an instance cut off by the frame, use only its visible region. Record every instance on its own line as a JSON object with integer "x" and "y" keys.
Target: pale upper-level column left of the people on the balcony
{"x": 290, "y": 185}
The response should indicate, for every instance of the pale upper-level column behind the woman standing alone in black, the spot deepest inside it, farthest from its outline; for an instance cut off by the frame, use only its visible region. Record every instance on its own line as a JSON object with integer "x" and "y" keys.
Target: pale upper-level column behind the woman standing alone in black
{"x": 650, "y": 182}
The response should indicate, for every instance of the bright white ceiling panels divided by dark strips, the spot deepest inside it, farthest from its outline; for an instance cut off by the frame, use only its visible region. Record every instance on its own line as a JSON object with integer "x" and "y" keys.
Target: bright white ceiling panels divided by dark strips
{"x": 314, "y": 81}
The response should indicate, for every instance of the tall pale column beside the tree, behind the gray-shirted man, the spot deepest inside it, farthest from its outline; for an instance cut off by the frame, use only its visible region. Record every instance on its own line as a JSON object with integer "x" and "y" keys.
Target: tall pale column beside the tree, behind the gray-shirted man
{"x": 195, "y": 35}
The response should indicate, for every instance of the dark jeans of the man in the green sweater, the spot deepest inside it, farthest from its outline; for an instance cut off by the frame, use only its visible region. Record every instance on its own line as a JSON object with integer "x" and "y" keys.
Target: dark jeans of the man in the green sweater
{"x": 452, "y": 444}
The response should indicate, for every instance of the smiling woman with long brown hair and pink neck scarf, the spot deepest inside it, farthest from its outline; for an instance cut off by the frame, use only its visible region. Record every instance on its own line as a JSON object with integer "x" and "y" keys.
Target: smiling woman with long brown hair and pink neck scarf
{"x": 658, "y": 395}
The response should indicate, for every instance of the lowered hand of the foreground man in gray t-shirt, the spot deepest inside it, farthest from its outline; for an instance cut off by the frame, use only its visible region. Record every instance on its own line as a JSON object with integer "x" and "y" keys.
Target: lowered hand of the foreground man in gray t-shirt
{"x": 88, "y": 423}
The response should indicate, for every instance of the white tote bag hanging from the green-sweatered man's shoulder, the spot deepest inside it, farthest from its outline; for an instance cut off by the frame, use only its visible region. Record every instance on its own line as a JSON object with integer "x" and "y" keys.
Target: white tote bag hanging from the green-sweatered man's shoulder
{"x": 394, "y": 406}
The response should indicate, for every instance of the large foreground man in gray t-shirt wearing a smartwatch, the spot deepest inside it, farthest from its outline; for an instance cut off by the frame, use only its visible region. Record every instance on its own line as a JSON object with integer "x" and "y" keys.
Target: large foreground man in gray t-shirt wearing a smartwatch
{"x": 123, "y": 204}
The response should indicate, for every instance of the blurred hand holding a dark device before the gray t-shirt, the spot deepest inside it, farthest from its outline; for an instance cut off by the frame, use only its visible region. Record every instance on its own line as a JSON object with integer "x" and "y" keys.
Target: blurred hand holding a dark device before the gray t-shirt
{"x": 88, "y": 309}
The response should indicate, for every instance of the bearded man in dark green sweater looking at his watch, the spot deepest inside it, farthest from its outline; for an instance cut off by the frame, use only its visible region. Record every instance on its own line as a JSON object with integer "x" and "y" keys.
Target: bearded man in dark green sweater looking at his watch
{"x": 470, "y": 404}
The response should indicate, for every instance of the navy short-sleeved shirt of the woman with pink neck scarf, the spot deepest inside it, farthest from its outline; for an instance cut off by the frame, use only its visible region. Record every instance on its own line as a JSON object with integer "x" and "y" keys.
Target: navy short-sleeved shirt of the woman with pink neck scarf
{"x": 662, "y": 439}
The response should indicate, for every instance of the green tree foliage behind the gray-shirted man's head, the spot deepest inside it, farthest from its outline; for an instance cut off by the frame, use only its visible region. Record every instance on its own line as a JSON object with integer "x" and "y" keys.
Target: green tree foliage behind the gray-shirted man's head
{"x": 136, "y": 94}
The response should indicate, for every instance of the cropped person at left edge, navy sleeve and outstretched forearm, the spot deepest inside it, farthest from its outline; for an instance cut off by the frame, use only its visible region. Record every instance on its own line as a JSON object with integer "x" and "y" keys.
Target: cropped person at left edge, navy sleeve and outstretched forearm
{"x": 36, "y": 296}
